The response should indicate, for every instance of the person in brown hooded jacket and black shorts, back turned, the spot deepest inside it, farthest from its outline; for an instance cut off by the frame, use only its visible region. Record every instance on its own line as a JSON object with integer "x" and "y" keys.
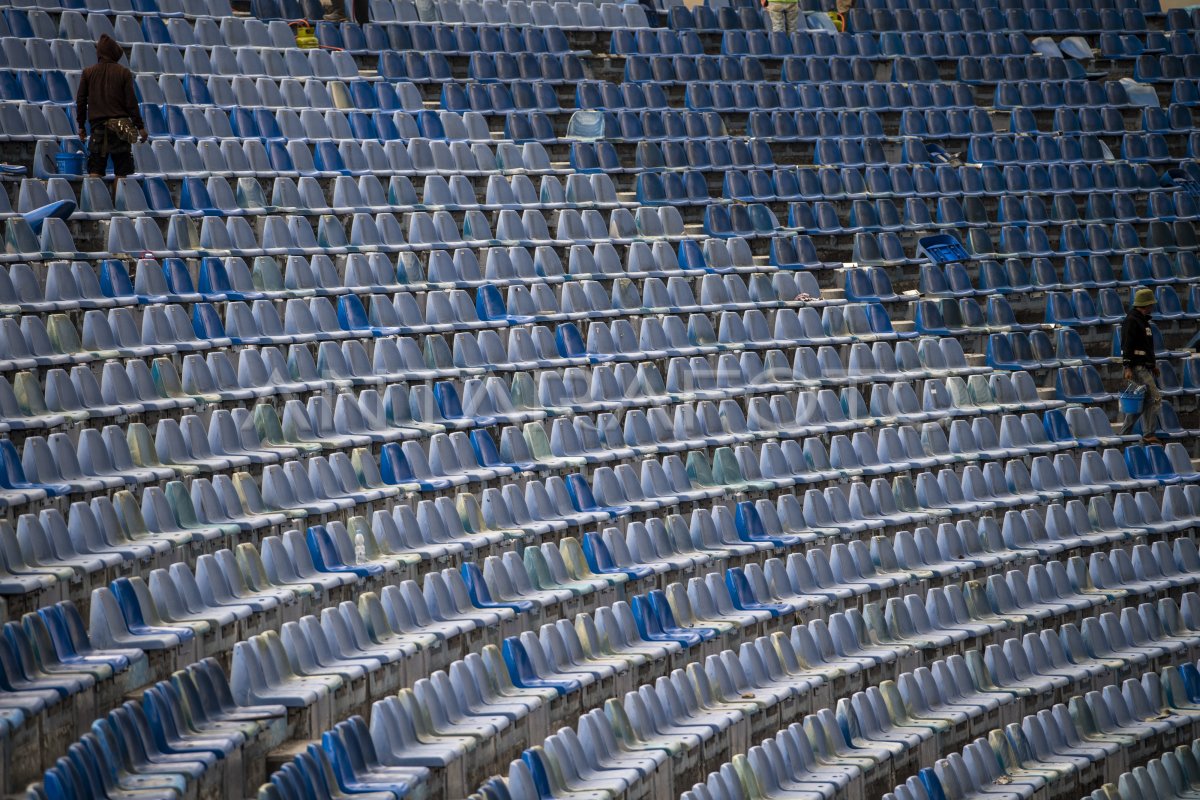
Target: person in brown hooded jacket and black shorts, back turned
{"x": 107, "y": 105}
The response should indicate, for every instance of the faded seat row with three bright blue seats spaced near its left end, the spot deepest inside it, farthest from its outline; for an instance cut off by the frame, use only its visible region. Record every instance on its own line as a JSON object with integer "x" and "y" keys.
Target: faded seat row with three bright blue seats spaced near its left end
{"x": 75, "y": 286}
